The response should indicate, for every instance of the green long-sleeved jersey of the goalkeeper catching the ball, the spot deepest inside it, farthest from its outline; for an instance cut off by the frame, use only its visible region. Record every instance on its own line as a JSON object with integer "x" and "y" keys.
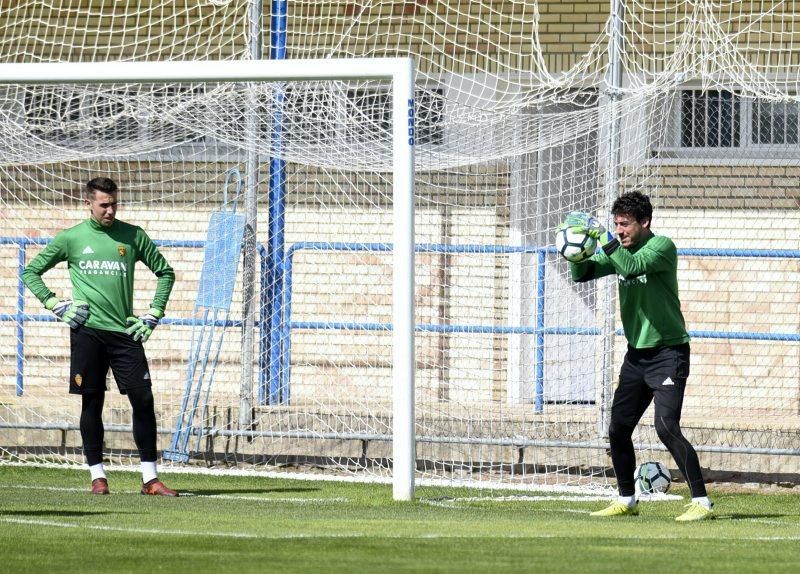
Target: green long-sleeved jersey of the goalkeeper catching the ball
{"x": 648, "y": 290}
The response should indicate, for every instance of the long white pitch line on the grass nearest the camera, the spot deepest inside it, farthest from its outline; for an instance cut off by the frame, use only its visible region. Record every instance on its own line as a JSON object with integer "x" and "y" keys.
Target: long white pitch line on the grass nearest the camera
{"x": 244, "y": 535}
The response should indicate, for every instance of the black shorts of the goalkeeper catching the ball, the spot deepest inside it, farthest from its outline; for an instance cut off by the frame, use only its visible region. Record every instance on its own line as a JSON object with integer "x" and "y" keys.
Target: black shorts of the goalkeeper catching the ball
{"x": 649, "y": 374}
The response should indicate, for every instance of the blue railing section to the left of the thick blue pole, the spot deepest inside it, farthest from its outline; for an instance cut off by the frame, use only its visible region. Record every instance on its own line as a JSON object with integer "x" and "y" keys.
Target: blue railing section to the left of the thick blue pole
{"x": 20, "y": 317}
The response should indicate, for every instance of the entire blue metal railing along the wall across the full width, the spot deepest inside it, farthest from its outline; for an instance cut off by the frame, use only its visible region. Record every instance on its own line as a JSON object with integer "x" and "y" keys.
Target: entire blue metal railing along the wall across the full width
{"x": 274, "y": 374}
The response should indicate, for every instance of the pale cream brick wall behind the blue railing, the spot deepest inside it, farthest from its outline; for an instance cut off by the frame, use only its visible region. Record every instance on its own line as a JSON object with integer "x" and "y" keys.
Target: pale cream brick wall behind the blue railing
{"x": 718, "y": 294}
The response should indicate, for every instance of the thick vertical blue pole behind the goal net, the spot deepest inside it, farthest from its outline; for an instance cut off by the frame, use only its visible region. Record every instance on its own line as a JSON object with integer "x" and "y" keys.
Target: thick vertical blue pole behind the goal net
{"x": 277, "y": 210}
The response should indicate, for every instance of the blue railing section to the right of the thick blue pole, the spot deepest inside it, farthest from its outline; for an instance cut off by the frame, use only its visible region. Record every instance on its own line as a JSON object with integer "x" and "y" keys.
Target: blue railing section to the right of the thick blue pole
{"x": 279, "y": 372}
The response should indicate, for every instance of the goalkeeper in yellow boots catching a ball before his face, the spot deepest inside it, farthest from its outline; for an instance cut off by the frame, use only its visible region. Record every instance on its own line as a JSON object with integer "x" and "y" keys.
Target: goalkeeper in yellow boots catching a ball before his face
{"x": 656, "y": 364}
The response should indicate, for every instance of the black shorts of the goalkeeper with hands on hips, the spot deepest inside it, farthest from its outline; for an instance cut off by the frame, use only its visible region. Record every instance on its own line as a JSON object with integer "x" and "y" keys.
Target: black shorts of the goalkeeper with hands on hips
{"x": 93, "y": 351}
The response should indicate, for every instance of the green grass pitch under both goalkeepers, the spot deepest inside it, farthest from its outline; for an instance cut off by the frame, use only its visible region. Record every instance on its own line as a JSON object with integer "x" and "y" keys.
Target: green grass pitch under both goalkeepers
{"x": 50, "y": 523}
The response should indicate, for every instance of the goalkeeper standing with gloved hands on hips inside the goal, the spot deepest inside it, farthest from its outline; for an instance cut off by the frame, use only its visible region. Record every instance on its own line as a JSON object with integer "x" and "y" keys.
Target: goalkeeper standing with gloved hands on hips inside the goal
{"x": 101, "y": 253}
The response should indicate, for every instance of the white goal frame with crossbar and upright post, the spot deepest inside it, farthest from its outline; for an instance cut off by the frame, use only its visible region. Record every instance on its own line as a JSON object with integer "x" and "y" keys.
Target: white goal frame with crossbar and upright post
{"x": 398, "y": 71}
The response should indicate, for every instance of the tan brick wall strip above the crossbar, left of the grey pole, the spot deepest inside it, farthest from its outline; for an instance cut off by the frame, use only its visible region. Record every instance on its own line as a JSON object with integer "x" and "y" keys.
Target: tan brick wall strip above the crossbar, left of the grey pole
{"x": 97, "y": 30}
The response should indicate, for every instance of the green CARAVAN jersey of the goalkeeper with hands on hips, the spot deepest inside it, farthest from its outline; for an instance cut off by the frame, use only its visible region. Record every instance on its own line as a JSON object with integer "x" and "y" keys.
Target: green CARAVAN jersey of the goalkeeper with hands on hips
{"x": 101, "y": 263}
